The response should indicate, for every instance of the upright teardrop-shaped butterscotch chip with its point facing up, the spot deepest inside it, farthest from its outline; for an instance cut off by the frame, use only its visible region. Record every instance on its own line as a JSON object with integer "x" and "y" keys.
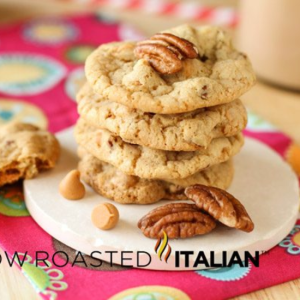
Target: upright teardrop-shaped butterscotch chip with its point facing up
{"x": 71, "y": 187}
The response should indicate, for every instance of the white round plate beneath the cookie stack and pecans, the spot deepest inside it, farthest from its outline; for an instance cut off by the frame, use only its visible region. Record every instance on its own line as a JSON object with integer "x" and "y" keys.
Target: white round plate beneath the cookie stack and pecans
{"x": 263, "y": 182}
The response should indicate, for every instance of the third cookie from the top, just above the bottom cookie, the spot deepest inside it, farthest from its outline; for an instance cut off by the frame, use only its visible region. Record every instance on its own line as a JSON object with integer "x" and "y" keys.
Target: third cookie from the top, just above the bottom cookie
{"x": 153, "y": 164}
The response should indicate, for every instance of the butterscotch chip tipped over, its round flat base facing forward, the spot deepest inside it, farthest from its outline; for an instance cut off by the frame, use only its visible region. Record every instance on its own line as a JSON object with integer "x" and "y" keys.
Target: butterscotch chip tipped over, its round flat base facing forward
{"x": 105, "y": 216}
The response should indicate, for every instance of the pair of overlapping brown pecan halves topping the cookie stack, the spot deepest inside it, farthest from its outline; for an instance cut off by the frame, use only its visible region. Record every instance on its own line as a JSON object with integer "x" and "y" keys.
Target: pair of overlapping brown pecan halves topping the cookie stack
{"x": 165, "y": 52}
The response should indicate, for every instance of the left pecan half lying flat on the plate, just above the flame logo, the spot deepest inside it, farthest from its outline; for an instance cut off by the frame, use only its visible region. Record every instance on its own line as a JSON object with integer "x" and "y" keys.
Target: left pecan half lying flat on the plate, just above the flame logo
{"x": 178, "y": 220}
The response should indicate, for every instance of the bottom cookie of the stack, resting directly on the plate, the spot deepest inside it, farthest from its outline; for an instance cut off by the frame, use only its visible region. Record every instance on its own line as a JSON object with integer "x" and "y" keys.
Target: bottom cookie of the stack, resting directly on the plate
{"x": 112, "y": 183}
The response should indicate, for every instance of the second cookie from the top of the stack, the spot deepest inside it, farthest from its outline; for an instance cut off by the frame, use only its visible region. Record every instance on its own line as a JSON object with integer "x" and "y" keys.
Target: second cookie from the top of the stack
{"x": 181, "y": 132}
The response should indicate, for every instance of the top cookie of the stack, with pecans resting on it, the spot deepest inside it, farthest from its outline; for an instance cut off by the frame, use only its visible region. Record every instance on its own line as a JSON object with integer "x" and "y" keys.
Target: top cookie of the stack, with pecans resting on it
{"x": 219, "y": 75}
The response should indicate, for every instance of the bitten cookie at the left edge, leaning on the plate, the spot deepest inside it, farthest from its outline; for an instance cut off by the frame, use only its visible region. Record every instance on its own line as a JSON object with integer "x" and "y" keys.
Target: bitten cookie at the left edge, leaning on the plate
{"x": 25, "y": 150}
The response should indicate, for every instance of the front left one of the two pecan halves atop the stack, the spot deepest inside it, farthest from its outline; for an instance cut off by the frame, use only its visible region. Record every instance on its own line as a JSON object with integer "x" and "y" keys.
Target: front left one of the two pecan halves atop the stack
{"x": 160, "y": 57}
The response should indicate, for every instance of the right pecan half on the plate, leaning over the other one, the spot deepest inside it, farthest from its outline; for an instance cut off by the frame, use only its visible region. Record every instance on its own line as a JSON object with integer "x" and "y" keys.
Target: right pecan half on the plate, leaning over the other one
{"x": 220, "y": 205}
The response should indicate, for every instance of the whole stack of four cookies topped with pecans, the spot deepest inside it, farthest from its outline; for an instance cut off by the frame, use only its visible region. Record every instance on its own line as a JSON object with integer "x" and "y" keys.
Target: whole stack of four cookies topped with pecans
{"x": 163, "y": 114}
